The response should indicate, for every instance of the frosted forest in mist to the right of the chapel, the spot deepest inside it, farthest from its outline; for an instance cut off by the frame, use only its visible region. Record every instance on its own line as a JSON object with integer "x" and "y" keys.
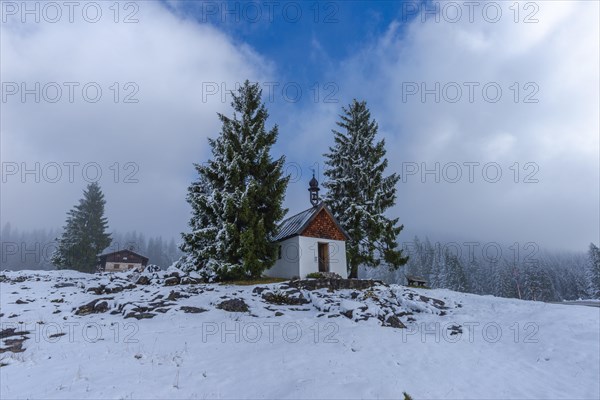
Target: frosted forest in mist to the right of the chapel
{"x": 518, "y": 271}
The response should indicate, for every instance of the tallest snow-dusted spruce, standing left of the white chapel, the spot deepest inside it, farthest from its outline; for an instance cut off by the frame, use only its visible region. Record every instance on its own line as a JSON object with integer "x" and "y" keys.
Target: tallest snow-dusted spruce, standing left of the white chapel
{"x": 237, "y": 200}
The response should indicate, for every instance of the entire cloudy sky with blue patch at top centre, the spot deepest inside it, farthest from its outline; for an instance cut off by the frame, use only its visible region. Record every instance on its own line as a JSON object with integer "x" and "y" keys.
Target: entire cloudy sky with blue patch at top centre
{"x": 490, "y": 111}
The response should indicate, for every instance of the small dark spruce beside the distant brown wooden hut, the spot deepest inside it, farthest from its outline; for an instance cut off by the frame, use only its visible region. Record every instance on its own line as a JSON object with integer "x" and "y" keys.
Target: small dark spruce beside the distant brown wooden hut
{"x": 84, "y": 235}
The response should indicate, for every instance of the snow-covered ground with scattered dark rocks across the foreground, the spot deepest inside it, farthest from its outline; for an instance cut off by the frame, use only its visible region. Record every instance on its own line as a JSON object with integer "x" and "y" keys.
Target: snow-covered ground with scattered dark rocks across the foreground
{"x": 157, "y": 341}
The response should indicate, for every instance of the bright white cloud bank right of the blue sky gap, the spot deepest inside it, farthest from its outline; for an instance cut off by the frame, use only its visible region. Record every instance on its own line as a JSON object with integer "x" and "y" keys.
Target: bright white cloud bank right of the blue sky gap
{"x": 559, "y": 56}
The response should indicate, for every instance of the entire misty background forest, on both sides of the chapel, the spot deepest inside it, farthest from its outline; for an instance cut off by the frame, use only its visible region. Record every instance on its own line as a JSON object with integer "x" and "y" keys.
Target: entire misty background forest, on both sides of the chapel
{"x": 545, "y": 276}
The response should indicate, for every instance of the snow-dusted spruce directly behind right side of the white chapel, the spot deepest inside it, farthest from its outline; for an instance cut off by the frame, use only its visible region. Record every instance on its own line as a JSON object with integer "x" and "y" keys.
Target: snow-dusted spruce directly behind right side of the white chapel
{"x": 358, "y": 192}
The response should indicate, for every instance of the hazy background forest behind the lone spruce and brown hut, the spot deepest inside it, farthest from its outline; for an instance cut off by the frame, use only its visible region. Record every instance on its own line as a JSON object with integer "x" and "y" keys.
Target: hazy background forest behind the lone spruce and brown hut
{"x": 33, "y": 249}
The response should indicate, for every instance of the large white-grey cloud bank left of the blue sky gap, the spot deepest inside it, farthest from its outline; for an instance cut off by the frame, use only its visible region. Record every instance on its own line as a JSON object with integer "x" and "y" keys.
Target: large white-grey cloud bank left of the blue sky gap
{"x": 168, "y": 58}
